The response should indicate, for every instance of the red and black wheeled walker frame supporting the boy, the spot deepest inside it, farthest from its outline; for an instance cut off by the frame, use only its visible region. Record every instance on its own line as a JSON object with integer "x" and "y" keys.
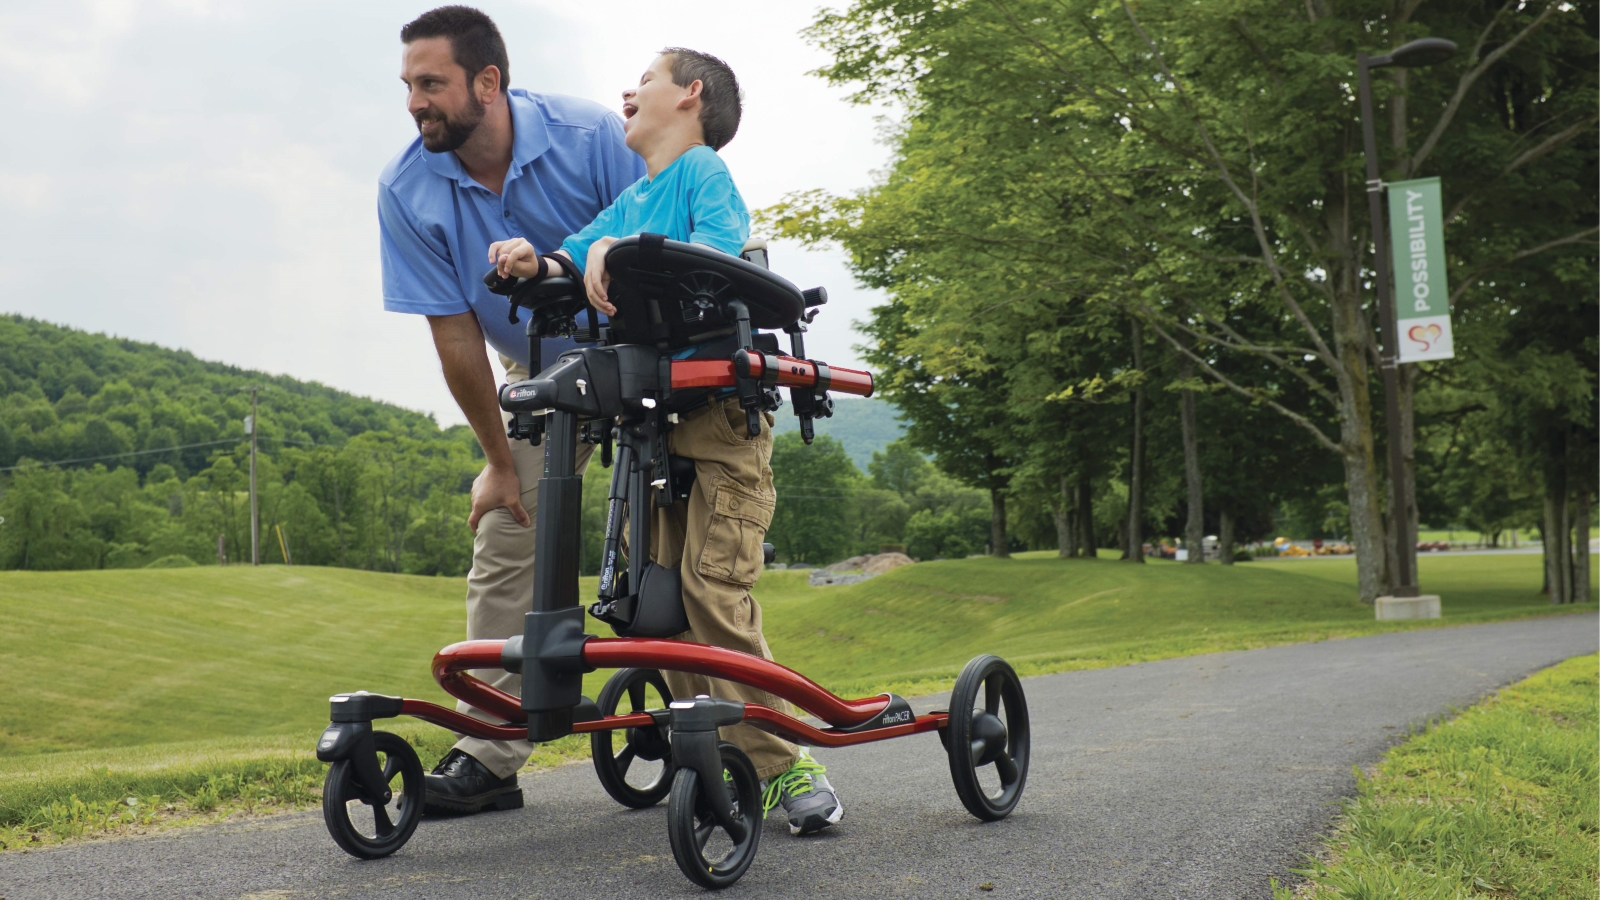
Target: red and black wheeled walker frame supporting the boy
{"x": 553, "y": 649}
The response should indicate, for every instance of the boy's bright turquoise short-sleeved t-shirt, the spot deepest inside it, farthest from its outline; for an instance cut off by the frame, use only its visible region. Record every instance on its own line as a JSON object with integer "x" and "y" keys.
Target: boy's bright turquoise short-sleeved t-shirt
{"x": 694, "y": 201}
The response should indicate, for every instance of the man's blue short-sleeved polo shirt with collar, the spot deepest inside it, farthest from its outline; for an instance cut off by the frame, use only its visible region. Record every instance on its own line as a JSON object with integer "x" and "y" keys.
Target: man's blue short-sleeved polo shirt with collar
{"x": 567, "y": 164}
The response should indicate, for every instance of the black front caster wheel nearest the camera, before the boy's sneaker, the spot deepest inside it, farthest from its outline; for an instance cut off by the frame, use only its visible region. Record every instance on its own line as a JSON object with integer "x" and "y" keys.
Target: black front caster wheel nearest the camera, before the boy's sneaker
{"x": 690, "y": 824}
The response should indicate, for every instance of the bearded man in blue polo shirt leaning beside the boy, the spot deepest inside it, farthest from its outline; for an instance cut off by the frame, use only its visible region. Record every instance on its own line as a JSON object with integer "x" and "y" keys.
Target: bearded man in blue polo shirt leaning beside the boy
{"x": 490, "y": 164}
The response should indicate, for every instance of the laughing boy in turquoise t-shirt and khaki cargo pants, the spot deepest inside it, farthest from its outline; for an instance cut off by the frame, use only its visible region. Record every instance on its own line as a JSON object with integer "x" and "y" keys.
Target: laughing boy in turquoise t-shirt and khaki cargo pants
{"x": 686, "y": 110}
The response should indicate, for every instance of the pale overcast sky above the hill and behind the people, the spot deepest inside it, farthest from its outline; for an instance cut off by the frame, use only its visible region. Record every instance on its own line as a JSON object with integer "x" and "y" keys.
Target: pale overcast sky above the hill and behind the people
{"x": 202, "y": 174}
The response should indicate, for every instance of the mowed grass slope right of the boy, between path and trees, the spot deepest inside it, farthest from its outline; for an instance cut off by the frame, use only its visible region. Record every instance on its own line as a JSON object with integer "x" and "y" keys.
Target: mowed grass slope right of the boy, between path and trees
{"x": 914, "y": 629}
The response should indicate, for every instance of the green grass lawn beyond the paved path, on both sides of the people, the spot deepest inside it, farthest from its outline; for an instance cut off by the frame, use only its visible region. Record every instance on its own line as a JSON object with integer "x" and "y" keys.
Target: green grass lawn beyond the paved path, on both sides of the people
{"x": 132, "y": 683}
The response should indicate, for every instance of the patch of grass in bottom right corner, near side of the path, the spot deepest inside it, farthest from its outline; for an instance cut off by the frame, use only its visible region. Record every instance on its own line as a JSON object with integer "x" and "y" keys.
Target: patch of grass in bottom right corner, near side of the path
{"x": 1503, "y": 802}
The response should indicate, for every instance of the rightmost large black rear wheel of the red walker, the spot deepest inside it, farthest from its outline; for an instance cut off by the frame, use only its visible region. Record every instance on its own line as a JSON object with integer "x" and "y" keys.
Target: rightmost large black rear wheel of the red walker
{"x": 978, "y": 736}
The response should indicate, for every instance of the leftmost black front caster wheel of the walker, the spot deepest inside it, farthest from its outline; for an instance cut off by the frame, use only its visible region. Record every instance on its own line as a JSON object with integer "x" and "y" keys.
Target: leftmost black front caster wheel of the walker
{"x": 340, "y": 800}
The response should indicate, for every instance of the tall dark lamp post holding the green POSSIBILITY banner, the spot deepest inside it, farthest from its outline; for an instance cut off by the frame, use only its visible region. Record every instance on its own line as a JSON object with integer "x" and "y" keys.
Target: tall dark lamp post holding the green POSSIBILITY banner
{"x": 1418, "y": 54}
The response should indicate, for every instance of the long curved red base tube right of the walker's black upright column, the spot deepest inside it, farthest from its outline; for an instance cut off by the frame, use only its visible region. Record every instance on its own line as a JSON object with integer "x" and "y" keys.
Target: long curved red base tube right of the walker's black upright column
{"x": 732, "y": 665}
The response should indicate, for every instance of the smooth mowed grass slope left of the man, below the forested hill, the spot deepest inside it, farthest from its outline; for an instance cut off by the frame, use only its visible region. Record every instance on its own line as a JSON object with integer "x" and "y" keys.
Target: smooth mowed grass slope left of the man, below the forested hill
{"x": 132, "y": 657}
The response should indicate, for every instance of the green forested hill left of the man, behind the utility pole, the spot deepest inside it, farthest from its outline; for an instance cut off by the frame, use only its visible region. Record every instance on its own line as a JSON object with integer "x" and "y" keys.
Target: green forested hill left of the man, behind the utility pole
{"x": 118, "y": 454}
